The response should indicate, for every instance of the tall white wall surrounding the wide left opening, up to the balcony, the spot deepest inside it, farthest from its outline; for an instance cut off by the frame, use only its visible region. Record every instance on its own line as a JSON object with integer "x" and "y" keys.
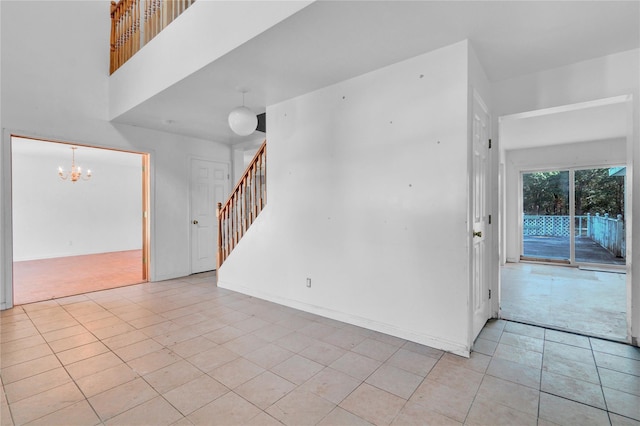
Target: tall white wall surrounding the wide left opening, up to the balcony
{"x": 55, "y": 86}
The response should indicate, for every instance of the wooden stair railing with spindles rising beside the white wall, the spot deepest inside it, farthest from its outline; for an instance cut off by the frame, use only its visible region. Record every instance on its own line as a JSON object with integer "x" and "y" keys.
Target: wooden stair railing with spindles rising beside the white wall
{"x": 243, "y": 206}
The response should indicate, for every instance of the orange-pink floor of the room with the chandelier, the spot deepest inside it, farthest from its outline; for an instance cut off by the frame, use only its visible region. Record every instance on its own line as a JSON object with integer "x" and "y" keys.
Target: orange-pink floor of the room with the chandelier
{"x": 44, "y": 279}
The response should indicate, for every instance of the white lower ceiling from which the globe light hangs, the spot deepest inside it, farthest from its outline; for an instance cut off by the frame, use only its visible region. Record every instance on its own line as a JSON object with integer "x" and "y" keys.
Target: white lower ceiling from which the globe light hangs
{"x": 331, "y": 41}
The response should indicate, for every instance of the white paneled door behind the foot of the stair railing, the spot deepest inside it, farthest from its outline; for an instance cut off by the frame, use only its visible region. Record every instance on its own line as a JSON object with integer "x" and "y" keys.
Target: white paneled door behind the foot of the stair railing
{"x": 209, "y": 183}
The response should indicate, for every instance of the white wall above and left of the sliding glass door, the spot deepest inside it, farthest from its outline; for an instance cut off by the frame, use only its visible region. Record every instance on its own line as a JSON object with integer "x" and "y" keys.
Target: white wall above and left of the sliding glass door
{"x": 595, "y": 154}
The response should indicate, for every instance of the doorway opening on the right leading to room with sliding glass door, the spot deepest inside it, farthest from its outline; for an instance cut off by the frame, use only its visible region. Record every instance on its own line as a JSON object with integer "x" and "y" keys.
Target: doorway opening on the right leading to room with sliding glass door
{"x": 565, "y": 218}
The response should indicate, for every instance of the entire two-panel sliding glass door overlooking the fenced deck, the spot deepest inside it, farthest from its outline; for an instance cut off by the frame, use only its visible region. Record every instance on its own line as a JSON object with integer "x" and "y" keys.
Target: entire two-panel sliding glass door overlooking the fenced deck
{"x": 574, "y": 216}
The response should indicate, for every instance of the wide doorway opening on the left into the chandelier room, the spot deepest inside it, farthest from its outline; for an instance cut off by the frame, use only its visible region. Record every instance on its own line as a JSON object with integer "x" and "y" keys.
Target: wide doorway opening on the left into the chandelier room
{"x": 76, "y": 236}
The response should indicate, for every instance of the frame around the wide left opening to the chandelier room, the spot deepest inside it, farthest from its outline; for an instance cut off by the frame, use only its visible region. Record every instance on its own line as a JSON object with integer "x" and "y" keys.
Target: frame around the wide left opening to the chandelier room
{"x": 6, "y": 204}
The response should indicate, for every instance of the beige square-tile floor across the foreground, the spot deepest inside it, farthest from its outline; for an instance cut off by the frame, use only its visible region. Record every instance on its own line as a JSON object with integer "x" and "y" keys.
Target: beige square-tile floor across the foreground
{"x": 186, "y": 352}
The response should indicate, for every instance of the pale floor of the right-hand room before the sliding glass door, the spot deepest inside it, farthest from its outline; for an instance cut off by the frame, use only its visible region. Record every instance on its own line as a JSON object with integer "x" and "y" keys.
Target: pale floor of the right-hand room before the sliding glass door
{"x": 588, "y": 302}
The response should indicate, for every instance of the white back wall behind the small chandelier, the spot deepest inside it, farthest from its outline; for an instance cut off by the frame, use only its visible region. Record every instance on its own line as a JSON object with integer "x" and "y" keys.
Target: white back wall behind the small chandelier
{"x": 56, "y": 218}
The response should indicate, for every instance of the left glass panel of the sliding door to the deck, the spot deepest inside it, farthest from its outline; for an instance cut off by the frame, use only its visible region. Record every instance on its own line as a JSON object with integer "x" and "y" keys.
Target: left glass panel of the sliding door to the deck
{"x": 546, "y": 222}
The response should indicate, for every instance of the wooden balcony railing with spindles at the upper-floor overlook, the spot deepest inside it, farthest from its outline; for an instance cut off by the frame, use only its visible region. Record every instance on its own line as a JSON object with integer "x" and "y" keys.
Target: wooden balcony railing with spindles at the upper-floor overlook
{"x": 135, "y": 22}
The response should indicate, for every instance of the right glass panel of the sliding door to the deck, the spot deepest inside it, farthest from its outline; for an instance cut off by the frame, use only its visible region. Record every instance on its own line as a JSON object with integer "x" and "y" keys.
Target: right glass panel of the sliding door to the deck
{"x": 599, "y": 216}
